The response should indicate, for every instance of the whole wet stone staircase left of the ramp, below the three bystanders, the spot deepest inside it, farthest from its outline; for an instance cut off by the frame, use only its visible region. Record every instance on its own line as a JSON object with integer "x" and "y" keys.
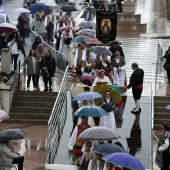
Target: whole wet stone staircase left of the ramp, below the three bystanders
{"x": 31, "y": 107}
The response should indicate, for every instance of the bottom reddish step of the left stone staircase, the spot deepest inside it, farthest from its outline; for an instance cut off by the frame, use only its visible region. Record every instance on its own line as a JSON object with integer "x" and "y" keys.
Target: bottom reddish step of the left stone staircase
{"x": 26, "y": 121}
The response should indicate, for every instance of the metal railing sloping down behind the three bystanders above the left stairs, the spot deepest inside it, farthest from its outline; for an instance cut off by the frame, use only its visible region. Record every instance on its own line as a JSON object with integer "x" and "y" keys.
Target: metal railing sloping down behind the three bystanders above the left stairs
{"x": 60, "y": 58}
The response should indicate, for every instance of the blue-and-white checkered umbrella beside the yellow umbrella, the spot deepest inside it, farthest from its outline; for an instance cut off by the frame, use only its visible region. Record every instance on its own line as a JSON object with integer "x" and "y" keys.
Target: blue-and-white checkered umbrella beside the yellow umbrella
{"x": 87, "y": 96}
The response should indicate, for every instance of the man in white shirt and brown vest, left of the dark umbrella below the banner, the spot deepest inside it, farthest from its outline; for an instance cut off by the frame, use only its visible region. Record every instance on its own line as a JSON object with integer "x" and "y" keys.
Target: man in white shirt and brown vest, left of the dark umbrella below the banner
{"x": 80, "y": 56}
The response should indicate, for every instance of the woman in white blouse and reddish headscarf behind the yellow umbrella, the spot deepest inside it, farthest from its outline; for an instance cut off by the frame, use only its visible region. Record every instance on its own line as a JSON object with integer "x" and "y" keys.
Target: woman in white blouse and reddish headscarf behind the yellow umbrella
{"x": 101, "y": 78}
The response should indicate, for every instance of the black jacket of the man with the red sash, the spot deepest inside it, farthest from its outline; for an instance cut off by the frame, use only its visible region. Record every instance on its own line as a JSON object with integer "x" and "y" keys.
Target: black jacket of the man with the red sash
{"x": 136, "y": 78}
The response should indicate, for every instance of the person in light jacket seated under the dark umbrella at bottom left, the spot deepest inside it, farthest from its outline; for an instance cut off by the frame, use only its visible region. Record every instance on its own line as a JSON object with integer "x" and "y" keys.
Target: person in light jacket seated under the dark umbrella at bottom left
{"x": 10, "y": 156}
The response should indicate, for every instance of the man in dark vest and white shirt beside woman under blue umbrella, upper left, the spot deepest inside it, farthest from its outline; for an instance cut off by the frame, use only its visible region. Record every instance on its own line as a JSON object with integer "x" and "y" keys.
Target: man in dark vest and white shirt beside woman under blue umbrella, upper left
{"x": 50, "y": 26}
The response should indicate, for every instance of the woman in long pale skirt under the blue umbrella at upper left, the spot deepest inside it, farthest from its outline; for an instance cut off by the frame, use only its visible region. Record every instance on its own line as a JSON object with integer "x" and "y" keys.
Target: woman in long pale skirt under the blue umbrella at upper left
{"x": 39, "y": 23}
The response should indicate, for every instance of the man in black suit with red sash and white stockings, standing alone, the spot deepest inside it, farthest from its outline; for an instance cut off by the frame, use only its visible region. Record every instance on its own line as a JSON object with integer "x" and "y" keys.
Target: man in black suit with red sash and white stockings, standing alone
{"x": 136, "y": 82}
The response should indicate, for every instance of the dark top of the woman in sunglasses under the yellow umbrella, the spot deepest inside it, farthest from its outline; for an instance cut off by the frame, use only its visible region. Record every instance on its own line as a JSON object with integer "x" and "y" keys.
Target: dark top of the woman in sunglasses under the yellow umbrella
{"x": 108, "y": 107}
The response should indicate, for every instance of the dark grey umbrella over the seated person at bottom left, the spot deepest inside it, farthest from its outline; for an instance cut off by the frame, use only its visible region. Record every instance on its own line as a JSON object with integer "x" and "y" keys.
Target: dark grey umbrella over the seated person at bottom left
{"x": 12, "y": 134}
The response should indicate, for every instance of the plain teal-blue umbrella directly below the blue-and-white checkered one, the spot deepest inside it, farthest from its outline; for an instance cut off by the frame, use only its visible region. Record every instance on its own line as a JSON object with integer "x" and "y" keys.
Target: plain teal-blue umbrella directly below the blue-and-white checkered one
{"x": 91, "y": 111}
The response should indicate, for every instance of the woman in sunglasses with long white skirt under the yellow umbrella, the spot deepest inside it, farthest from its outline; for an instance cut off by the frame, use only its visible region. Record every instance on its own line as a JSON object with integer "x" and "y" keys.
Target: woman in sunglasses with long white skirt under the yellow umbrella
{"x": 108, "y": 104}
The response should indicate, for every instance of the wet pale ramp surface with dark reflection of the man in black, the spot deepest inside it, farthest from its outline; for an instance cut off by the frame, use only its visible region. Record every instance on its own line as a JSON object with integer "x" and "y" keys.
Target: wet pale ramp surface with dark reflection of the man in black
{"x": 135, "y": 130}
